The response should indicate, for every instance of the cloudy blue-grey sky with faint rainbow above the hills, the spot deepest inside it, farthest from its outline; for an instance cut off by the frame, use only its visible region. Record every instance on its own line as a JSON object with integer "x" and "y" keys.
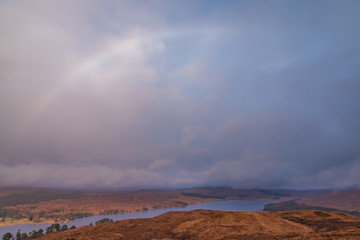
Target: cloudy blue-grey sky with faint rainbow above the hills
{"x": 172, "y": 94}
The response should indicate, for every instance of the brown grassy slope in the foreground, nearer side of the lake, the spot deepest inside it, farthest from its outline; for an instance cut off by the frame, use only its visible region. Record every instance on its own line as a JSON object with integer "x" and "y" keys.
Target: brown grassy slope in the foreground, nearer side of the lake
{"x": 207, "y": 224}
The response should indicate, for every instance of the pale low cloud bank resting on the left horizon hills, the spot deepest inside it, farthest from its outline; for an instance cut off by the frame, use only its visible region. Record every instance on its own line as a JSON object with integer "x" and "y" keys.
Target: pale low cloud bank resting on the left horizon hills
{"x": 61, "y": 175}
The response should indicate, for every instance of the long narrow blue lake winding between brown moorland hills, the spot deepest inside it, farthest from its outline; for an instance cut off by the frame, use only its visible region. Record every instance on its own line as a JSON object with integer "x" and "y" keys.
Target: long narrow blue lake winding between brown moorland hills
{"x": 233, "y": 206}
